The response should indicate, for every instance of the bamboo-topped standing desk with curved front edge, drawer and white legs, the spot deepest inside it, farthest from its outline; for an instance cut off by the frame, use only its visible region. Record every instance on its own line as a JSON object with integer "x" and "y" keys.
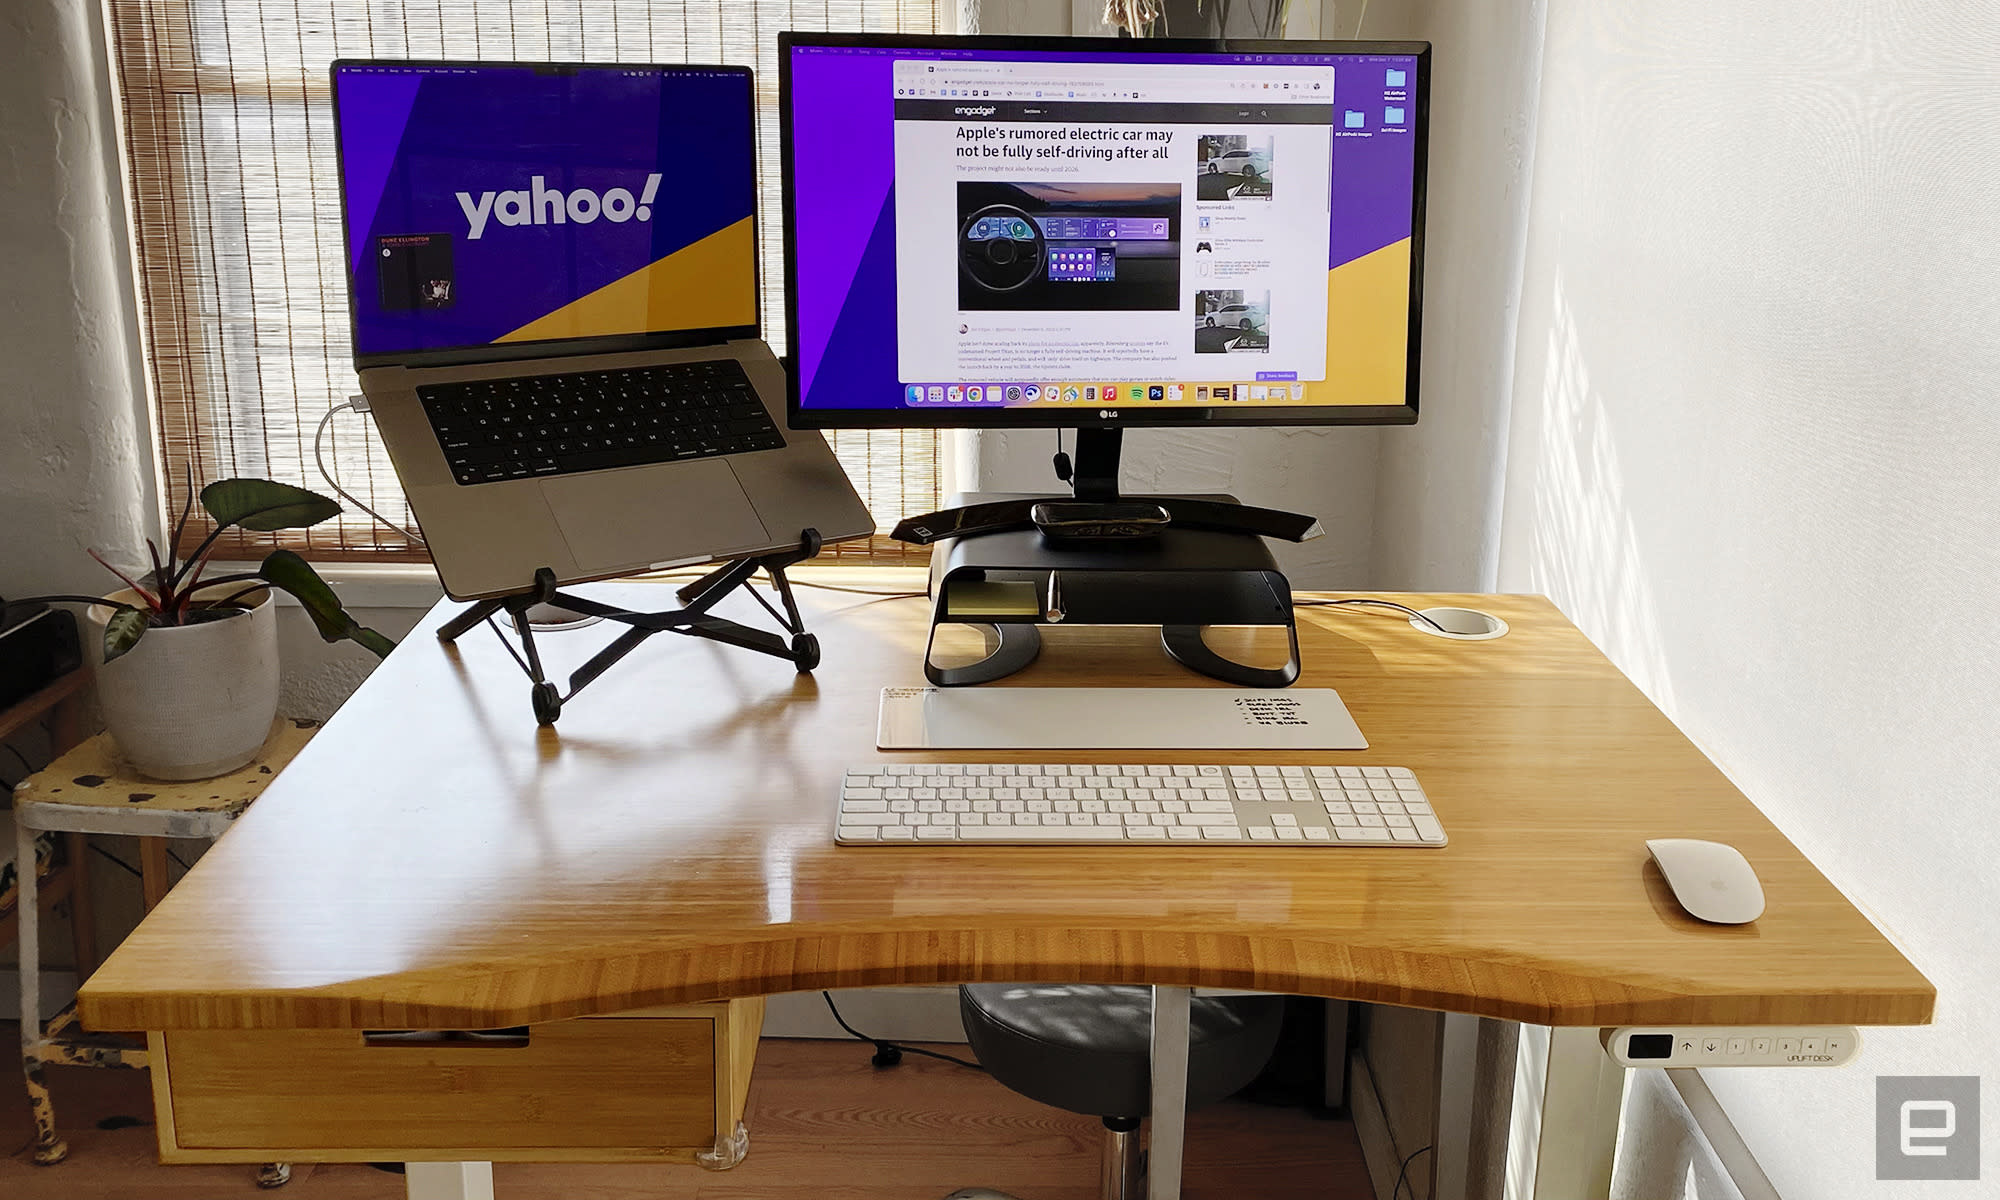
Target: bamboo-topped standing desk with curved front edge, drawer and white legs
{"x": 433, "y": 861}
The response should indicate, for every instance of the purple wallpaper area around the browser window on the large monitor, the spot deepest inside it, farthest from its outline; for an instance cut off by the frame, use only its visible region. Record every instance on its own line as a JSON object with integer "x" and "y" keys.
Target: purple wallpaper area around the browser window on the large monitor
{"x": 845, "y": 211}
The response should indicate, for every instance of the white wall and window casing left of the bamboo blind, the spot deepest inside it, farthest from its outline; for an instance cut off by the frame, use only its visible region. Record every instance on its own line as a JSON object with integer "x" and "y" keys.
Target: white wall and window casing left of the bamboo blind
{"x": 75, "y": 457}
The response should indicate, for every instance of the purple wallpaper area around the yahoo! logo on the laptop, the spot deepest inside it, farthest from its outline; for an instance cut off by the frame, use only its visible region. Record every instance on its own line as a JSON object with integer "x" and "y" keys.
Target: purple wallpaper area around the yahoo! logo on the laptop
{"x": 409, "y": 143}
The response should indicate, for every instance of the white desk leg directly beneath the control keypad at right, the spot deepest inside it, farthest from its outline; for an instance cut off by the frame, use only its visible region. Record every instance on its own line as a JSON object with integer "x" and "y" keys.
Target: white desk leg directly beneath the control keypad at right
{"x": 1583, "y": 1101}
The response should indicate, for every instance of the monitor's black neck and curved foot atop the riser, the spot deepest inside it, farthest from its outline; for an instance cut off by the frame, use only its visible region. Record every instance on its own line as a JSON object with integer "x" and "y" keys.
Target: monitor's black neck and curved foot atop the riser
{"x": 1095, "y": 481}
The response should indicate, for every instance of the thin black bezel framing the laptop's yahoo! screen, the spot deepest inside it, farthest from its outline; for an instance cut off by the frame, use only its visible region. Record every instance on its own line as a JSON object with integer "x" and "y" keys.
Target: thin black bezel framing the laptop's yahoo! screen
{"x": 549, "y": 347}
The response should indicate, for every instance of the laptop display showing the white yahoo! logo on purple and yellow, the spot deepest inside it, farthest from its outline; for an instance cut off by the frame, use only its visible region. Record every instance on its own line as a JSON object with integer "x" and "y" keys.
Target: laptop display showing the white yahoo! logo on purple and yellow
{"x": 495, "y": 205}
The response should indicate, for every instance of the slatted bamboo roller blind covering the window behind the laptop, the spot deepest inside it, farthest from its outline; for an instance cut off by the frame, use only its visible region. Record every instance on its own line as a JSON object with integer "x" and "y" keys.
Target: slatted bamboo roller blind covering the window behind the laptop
{"x": 237, "y": 219}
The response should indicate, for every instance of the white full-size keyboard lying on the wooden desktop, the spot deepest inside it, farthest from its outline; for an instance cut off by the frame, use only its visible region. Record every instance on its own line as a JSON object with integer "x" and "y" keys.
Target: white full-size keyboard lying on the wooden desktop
{"x": 1095, "y": 805}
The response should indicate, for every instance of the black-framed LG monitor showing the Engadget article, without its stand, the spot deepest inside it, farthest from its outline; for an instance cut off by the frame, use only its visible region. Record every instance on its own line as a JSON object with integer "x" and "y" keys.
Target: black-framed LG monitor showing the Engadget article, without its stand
{"x": 1067, "y": 231}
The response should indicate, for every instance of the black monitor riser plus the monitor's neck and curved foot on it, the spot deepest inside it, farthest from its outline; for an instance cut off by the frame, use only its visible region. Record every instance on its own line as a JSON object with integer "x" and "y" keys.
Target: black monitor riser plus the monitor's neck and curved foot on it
{"x": 1207, "y": 567}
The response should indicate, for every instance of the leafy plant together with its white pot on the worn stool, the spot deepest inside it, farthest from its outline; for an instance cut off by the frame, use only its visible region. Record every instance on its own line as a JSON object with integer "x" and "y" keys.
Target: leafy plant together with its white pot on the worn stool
{"x": 189, "y": 673}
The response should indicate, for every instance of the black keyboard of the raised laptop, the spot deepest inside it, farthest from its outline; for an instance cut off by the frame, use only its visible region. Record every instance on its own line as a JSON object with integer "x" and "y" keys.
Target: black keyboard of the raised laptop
{"x": 519, "y": 429}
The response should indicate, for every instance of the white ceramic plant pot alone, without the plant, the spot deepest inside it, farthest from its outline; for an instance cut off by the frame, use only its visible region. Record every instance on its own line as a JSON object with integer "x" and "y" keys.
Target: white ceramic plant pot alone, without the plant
{"x": 197, "y": 701}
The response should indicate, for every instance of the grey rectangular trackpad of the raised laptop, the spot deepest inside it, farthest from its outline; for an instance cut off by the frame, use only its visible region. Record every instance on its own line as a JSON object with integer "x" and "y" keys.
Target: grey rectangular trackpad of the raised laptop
{"x": 655, "y": 515}
